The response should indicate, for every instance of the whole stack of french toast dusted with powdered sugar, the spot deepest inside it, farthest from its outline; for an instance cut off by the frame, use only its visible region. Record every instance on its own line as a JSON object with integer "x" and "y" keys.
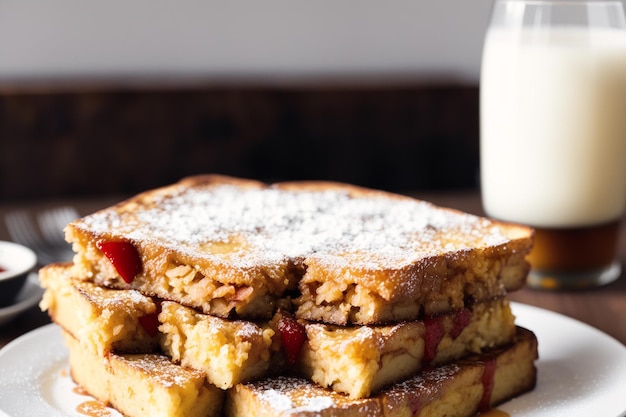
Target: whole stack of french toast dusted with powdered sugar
{"x": 220, "y": 296}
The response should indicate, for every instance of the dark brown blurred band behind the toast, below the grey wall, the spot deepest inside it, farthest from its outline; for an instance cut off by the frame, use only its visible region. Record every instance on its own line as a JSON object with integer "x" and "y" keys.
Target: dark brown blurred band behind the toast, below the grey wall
{"x": 61, "y": 144}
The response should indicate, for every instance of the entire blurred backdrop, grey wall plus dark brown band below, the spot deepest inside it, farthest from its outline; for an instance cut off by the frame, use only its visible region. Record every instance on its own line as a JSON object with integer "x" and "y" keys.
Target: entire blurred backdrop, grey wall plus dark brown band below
{"x": 402, "y": 119}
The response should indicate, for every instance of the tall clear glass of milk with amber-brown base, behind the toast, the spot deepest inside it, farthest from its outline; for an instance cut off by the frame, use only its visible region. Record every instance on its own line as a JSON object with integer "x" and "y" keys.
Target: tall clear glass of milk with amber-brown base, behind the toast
{"x": 553, "y": 133}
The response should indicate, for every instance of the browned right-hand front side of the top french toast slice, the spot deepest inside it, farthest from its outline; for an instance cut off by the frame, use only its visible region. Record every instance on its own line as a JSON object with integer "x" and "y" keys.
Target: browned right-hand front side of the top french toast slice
{"x": 435, "y": 286}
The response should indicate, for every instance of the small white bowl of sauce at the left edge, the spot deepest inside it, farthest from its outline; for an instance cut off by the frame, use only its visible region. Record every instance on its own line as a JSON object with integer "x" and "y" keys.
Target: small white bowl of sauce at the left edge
{"x": 16, "y": 262}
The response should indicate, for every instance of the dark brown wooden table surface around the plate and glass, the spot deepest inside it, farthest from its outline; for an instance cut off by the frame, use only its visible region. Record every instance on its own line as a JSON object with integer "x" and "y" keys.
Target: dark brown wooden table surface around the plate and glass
{"x": 603, "y": 308}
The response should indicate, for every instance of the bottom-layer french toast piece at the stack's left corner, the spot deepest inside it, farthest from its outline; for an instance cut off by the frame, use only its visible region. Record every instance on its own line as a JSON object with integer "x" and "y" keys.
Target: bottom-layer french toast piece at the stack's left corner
{"x": 140, "y": 385}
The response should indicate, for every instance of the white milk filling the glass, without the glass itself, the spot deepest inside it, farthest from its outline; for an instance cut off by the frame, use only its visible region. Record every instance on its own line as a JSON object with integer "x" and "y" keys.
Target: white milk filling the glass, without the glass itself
{"x": 553, "y": 126}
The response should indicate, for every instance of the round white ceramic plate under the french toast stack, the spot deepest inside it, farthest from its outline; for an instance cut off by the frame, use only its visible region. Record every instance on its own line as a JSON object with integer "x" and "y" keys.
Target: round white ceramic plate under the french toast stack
{"x": 582, "y": 372}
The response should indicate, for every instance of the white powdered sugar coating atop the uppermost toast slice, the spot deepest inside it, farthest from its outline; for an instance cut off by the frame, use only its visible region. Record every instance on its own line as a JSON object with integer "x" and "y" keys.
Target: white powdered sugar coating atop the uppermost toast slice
{"x": 274, "y": 224}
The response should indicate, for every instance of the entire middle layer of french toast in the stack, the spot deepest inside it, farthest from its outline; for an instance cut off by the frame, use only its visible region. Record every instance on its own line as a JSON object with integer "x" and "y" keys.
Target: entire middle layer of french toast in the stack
{"x": 355, "y": 360}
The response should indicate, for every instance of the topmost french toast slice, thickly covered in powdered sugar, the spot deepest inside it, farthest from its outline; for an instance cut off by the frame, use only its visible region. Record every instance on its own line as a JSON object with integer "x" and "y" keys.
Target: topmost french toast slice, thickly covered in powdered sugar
{"x": 240, "y": 248}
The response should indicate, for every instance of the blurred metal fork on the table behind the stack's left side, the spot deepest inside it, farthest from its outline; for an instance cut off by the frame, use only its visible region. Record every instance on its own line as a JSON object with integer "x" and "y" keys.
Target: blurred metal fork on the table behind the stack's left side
{"x": 46, "y": 239}
